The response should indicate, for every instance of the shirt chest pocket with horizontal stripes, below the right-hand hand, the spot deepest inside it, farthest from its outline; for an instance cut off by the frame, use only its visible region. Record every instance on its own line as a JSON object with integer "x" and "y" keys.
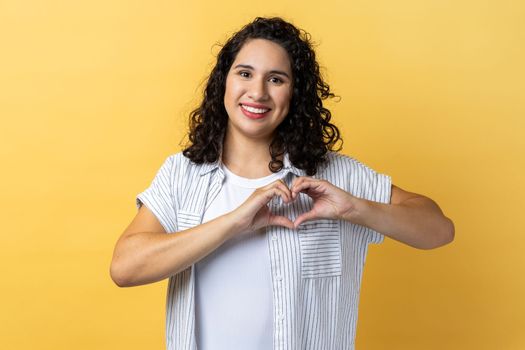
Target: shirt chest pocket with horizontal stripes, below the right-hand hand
{"x": 320, "y": 243}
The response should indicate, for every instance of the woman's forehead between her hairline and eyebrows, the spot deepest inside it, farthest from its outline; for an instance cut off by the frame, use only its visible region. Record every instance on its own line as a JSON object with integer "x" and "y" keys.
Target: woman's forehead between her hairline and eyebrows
{"x": 263, "y": 54}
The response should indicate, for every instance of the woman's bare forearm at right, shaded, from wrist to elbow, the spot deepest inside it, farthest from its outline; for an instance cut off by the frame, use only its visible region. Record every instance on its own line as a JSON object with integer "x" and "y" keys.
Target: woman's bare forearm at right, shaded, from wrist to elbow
{"x": 417, "y": 221}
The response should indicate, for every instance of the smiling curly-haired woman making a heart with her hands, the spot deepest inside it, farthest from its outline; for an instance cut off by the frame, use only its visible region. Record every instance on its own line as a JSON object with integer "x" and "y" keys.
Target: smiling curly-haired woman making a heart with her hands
{"x": 268, "y": 226}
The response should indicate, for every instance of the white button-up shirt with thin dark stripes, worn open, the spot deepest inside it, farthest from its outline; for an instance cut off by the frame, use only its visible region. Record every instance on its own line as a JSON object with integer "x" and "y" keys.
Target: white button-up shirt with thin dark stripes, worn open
{"x": 316, "y": 270}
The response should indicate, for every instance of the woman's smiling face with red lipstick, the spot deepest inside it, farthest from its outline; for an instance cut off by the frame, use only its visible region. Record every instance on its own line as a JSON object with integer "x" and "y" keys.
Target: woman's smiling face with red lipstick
{"x": 258, "y": 90}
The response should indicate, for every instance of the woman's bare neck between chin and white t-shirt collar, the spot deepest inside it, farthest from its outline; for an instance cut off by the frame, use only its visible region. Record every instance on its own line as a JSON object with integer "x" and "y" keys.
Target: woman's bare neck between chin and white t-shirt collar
{"x": 246, "y": 157}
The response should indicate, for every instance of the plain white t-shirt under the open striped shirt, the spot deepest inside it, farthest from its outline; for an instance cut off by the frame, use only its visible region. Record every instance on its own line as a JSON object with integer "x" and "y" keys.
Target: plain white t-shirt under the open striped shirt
{"x": 233, "y": 286}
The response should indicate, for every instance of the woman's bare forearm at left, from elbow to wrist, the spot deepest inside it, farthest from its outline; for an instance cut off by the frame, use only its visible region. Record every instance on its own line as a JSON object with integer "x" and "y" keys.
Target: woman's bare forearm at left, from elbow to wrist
{"x": 147, "y": 257}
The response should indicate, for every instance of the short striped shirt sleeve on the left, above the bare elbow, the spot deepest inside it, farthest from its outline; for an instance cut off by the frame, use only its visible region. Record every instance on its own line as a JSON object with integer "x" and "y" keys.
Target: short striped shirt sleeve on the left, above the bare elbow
{"x": 159, "y": 198}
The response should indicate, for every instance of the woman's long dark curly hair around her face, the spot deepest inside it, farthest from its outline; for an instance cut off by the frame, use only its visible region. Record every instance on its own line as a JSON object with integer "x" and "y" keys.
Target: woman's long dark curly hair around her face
{"x": 306, "y": 133}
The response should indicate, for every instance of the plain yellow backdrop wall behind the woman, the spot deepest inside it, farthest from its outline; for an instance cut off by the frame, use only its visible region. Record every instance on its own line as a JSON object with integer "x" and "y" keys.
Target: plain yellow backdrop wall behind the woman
{"x": 94, "y": 96}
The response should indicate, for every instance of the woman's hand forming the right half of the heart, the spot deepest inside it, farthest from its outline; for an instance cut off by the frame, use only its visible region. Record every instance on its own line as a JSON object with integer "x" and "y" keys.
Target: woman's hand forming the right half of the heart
{"x": 329, "y": 201}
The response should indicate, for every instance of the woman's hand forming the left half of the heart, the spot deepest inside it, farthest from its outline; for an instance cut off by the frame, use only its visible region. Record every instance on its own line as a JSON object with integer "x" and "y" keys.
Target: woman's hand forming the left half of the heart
{"x": 254, "y": 213}
